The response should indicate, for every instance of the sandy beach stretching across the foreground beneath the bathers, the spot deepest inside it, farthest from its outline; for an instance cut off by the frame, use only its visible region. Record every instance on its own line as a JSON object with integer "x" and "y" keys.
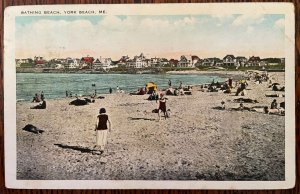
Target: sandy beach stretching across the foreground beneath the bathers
{"x": 197, "y": 142}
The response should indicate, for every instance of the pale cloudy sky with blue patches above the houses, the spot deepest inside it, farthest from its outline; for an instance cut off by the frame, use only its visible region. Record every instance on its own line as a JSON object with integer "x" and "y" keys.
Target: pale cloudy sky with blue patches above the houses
{"x": 161, "y": 36}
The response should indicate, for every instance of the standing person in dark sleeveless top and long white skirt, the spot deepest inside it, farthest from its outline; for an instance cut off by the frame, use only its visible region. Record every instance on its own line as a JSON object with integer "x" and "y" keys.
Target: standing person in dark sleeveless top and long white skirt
{"x": 101, "y": 129}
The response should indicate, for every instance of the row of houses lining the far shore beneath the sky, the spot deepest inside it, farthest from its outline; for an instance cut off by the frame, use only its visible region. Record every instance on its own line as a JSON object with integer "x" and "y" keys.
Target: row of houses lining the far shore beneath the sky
{"x": 140, "y": 61}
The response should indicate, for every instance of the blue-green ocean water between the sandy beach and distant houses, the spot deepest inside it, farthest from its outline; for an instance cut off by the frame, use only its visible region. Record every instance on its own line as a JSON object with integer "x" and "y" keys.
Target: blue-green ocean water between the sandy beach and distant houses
{"x": 55, "y": 85}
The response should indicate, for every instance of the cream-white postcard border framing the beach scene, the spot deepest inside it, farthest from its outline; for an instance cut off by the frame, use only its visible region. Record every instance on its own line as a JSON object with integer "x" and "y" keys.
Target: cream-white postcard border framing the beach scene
{"x": 148, "y": 9}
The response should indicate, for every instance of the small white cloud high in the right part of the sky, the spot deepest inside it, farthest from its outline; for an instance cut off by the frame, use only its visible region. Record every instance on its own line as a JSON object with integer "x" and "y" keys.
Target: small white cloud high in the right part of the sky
{"x": 248, "y": 19}
